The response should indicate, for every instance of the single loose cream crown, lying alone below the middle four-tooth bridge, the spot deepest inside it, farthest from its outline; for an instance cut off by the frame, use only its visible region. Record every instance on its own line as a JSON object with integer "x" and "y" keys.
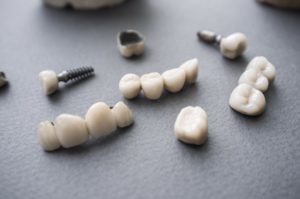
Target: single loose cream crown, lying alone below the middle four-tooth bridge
{"x": 191, "y": 125}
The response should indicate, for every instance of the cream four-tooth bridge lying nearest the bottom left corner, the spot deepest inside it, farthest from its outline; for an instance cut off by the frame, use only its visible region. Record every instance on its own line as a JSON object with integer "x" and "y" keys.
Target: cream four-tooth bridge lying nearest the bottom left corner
{"x": 70, "y": 130}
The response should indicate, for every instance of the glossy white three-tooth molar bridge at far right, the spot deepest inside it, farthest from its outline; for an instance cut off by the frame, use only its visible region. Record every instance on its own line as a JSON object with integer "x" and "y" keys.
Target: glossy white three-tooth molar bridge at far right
{"x": 248, "y": 98}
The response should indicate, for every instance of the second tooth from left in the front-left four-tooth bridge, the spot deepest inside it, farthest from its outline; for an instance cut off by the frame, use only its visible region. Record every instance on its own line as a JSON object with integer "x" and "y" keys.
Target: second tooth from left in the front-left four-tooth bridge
{"x": 71, "y": 130}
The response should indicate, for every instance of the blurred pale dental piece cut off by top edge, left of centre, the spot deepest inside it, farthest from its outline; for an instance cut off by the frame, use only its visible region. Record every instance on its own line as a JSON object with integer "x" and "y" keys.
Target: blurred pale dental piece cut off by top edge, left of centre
{"x": 83, "y": 4}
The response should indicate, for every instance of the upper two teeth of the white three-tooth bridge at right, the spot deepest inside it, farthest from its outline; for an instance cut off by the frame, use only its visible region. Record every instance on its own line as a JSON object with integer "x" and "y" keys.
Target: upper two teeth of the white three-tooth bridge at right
{"x": 259, "y": 73}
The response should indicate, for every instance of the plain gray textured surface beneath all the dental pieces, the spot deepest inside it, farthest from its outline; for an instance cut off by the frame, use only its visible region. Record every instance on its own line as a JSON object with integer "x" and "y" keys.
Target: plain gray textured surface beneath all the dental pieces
{"x": 243, "y": 158}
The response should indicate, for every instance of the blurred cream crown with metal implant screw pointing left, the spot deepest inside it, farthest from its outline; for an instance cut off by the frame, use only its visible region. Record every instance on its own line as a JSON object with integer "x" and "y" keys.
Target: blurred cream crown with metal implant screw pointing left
{"x": 231, "y": 46}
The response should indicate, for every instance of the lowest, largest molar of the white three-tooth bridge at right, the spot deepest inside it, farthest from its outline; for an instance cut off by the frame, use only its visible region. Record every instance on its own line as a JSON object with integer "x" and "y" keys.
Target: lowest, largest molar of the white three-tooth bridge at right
{"x": 247, "y": 100}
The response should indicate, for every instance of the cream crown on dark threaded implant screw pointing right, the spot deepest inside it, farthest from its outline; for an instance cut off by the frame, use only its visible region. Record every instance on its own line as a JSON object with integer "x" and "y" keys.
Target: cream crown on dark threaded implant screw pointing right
{"x": 50, "y": 79}
